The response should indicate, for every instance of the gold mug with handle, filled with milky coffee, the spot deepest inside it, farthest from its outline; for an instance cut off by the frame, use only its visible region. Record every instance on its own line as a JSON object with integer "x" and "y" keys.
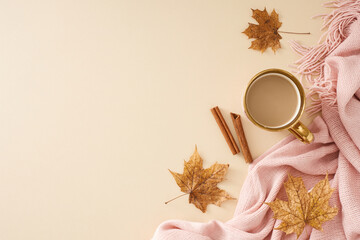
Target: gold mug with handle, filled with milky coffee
{"x": 275, "y": 100}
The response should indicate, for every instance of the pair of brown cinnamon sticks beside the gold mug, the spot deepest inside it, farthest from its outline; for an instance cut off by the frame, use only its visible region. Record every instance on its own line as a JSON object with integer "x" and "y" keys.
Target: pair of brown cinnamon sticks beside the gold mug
{"x": 236, "y": 119}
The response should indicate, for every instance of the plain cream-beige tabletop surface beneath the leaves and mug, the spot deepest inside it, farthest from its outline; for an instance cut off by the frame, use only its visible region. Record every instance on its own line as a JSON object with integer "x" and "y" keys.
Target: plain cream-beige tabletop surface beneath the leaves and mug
{"x": 99, "y": 98}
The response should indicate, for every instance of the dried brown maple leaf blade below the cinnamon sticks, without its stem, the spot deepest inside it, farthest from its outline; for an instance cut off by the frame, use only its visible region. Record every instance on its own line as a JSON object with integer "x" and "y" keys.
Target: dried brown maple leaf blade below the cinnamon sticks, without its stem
{"x": 200, "y": 183}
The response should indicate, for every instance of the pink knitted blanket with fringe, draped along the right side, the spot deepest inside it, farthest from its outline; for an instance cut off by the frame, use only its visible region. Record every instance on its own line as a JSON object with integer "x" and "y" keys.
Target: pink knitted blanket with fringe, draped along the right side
{"x": 334, "y": 151}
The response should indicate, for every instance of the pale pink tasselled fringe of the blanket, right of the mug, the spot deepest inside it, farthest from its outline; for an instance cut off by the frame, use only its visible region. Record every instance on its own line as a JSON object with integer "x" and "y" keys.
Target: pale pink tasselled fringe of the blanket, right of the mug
{"x": 311, "y": 64}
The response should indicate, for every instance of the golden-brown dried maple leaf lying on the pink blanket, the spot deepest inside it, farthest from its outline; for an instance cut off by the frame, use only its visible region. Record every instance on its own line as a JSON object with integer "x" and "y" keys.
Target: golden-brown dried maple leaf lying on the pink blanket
{"x": 303, "y": 207}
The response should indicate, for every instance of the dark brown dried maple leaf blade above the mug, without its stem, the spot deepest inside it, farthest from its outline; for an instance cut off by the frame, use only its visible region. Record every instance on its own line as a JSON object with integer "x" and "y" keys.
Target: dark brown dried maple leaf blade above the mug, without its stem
{"x": 266, "y": 32}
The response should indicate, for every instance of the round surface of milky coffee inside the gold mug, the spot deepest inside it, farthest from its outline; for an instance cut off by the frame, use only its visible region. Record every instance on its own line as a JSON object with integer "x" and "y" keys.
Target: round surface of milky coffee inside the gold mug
{"x": 273, "y": 100}
